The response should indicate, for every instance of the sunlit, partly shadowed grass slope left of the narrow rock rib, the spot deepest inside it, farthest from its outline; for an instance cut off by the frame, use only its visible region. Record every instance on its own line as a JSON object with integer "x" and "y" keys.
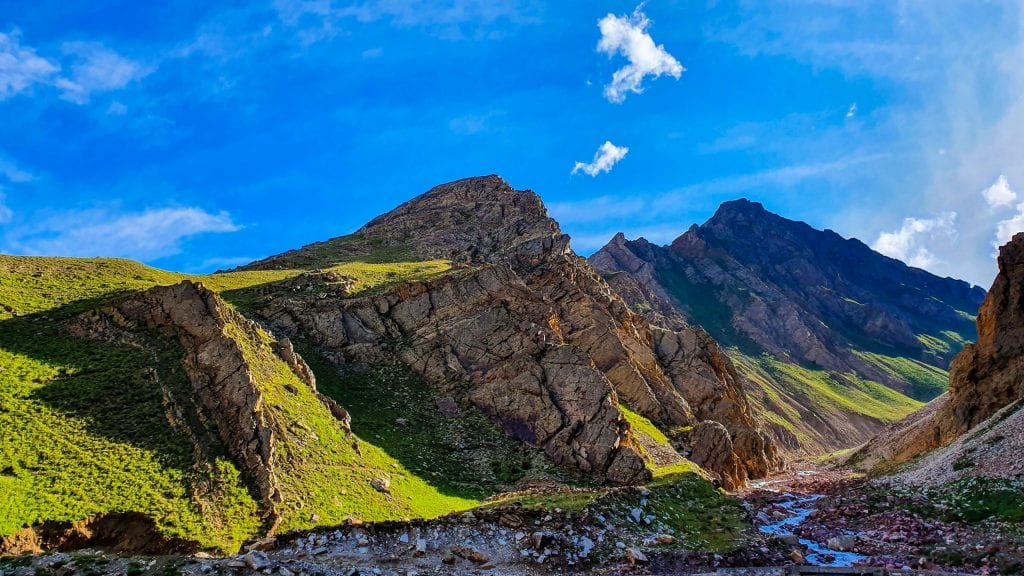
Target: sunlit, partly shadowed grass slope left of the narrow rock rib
{"x": 86, "y": 432}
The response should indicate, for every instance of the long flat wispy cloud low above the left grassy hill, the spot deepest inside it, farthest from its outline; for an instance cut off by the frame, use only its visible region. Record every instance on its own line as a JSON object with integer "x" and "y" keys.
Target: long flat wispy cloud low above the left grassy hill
{"x": 149, "y": 235}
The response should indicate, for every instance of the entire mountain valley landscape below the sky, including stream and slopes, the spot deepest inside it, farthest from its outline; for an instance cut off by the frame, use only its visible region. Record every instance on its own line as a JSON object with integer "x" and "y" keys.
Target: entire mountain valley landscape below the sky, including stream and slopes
{"x": 452, "y": 390}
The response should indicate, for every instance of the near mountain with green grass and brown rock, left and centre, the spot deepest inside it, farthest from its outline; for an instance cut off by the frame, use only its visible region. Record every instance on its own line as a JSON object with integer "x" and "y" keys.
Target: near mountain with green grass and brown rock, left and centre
{"x": 450, "y": 351}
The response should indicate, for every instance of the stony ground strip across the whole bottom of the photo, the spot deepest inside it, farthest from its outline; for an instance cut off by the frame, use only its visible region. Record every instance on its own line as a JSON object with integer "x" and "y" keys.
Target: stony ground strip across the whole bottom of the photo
{"x": 894, "y": 528}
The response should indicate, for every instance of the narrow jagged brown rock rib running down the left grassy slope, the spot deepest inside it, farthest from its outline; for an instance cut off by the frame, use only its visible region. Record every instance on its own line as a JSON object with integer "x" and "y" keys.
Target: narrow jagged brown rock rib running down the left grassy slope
{"x": 217, "y": 366}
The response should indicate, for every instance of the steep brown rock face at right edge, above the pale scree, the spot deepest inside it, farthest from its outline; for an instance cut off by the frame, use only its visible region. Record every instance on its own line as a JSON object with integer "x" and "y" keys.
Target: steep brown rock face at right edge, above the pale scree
{"x": 987, "y": 382}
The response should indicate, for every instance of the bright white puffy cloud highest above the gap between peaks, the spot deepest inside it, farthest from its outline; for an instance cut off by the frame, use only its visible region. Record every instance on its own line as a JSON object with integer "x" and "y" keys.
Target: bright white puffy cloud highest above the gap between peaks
{"x": 628, "y": 36}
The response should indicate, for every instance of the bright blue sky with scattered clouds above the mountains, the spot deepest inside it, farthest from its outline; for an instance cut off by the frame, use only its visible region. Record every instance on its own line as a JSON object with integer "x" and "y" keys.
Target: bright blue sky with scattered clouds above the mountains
{"x": 197, "y": 136}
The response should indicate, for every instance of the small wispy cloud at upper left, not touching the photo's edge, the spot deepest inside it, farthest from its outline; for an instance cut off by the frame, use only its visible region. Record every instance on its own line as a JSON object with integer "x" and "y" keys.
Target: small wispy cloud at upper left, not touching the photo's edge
{"x": 97, "y": 69}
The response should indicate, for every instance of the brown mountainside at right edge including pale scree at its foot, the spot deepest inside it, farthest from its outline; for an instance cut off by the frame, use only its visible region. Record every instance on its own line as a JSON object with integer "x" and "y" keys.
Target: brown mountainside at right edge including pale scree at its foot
{"x": 976, "y": 429}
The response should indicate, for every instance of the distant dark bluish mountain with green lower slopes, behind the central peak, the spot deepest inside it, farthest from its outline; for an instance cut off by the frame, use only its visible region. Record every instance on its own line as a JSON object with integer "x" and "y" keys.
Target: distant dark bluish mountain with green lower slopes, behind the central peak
{"x": 835, "y": 339}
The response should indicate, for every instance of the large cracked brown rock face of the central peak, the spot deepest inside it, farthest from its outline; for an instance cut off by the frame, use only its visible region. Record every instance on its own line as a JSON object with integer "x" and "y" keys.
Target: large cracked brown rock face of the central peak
{"x": 547, "y": 348}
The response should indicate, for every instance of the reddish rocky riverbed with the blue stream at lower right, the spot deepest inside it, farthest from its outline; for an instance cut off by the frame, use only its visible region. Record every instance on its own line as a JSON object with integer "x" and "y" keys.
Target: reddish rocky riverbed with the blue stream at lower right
{"x": 832, "y": 519}
